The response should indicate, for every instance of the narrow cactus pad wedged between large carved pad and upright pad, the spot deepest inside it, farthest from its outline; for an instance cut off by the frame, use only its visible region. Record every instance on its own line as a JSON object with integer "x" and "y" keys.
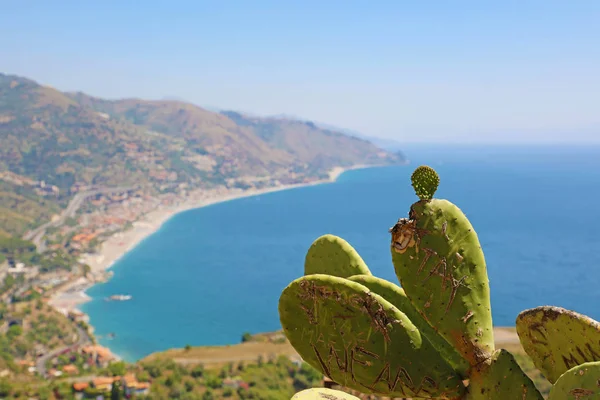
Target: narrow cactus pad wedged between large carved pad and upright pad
{"x": 395, "y": 295}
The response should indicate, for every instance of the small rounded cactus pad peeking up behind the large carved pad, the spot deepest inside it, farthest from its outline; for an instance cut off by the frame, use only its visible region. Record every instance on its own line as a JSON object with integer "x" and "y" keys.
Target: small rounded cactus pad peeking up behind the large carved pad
{"x": 332, "y": 255}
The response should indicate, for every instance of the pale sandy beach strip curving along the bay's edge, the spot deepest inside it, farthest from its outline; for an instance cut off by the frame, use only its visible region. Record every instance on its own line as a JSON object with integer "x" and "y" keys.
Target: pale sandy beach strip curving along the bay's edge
{"x": 71, "y": 297}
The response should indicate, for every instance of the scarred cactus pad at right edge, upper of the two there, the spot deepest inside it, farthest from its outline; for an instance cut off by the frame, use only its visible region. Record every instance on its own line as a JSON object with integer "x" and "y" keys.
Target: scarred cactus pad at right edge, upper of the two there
{"x": 557, "y": 339}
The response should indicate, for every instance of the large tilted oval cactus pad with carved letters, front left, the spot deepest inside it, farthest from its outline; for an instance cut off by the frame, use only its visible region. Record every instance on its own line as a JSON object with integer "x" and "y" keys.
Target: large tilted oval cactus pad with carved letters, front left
{"x": 361, "y": 341}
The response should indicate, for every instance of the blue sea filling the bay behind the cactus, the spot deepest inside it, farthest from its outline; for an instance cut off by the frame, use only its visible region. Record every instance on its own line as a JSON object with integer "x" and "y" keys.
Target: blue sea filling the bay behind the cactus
{"x": 211, "y": 274}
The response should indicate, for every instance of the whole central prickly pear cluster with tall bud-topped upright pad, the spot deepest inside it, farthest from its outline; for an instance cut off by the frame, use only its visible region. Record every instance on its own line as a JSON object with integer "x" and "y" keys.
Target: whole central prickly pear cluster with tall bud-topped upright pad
{"x": 430, "y": 339}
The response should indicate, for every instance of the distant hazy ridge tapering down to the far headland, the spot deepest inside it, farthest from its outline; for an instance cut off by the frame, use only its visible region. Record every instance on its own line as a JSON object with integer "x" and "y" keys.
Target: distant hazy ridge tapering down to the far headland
{"x": 242, "y": 144}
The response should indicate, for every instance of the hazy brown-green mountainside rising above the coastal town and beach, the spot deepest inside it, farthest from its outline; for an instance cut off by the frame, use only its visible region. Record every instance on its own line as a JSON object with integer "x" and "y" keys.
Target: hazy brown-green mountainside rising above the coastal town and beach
{"x": 53, "y": 144}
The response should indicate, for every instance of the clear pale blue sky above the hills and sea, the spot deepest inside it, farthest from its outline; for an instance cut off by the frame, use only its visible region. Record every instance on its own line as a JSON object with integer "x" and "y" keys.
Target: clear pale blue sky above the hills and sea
{"x": 416, "y": 71}
